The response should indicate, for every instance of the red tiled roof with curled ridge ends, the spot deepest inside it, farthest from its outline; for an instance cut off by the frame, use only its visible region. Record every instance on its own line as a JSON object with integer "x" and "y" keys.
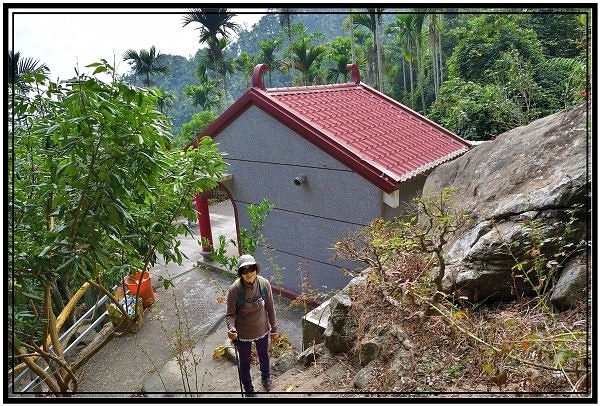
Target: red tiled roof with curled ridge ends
{"x": 381, "y": 139}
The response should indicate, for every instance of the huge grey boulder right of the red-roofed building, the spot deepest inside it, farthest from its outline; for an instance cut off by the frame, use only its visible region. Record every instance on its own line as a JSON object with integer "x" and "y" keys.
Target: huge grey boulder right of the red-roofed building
{"x": 528, "y": 195}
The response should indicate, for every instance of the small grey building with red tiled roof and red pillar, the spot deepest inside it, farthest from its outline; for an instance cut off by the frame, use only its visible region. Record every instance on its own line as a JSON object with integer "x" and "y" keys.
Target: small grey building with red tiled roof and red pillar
{"x": 330, "y": 158}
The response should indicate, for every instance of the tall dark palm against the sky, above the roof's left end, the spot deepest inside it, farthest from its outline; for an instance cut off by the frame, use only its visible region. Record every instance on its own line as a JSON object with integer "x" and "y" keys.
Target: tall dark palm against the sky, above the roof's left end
{"x": 215, "y": 23}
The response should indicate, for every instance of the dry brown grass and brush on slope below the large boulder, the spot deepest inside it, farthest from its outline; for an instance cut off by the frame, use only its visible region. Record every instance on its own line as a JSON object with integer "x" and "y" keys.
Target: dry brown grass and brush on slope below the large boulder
{"x": 517, "y": 349}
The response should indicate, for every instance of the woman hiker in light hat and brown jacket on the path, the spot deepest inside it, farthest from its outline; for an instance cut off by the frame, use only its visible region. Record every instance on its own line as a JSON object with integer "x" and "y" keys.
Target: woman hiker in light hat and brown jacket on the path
{"x": 251, "y": 318}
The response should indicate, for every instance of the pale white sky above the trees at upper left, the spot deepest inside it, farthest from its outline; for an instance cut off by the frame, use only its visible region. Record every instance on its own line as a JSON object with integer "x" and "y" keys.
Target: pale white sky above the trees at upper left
{"x": 63, "y": 38}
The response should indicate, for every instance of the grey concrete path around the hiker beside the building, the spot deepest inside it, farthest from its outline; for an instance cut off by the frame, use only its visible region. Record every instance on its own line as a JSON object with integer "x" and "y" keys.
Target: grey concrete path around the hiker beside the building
{"x": 172, "y": 353}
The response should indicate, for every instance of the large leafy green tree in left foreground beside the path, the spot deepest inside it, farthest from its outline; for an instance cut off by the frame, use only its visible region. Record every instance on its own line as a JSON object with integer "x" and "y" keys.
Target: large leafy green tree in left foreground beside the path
{"x": 95, "y": 187}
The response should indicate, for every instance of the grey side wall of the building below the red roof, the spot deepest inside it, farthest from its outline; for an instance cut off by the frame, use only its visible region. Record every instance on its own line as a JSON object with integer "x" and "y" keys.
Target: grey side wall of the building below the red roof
{"x": 265, "y": 156}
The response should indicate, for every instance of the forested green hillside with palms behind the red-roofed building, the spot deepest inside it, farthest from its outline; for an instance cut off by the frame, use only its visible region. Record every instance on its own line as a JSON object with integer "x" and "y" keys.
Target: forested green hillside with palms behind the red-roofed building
{"x": 476, "y": 72}
